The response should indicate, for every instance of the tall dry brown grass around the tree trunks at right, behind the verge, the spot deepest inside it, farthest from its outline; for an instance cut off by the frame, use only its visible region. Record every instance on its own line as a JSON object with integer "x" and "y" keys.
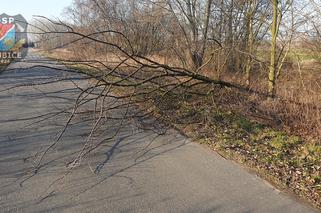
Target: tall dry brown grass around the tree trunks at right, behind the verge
{"x": 297, "y": 108}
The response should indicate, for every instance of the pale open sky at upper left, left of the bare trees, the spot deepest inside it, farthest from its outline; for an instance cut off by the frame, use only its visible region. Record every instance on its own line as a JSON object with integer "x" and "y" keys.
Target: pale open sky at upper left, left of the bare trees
{"x": 28, "y": 8}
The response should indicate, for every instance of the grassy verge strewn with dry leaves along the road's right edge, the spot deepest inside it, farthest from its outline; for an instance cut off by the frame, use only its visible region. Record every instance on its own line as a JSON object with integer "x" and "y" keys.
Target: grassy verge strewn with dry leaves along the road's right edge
{"x": 290, "y": 162}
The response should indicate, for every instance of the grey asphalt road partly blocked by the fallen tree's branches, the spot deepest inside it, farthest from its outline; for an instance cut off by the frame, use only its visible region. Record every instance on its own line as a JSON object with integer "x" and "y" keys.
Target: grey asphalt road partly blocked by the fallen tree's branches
{"x": 138, "y": 171}
